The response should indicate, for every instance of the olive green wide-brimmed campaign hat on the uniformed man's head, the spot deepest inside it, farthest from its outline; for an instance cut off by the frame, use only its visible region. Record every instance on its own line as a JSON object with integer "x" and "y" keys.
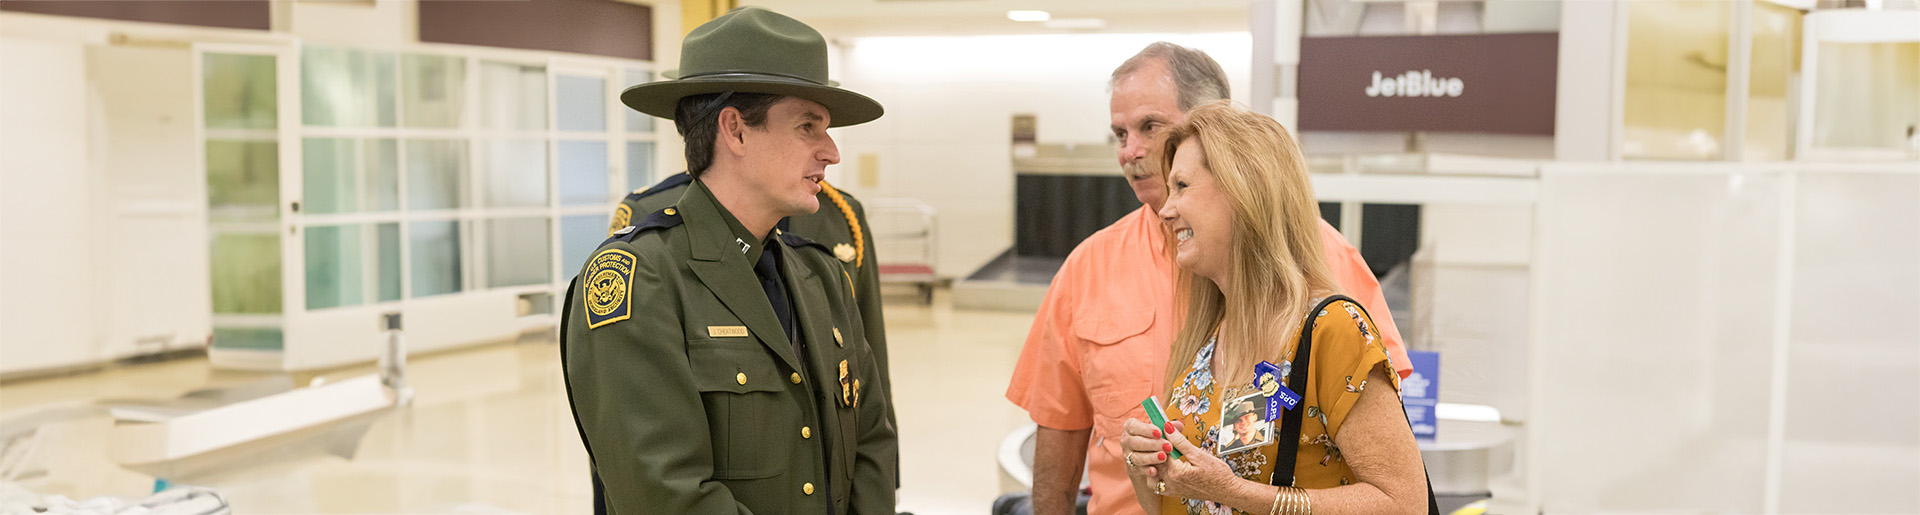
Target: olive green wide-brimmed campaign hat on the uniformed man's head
{"x": 754, "y": 51}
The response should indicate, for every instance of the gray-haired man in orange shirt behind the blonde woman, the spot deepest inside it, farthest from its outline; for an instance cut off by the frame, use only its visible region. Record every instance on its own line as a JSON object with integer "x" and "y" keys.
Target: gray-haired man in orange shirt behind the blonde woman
{"x": 1103, "y": 335}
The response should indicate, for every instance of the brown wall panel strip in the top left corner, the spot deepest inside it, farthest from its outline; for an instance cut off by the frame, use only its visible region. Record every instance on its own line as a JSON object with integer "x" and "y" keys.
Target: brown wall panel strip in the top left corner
{"x": 228, "y": 14}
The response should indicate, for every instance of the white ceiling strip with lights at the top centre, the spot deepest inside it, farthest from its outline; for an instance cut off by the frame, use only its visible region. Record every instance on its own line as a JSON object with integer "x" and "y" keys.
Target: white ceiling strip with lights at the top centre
{"x": 898, "y": 18}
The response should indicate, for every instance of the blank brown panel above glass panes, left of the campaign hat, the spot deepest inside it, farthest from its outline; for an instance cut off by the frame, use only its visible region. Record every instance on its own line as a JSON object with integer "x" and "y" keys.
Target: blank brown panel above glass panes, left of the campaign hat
{"x": 602, "y": 28}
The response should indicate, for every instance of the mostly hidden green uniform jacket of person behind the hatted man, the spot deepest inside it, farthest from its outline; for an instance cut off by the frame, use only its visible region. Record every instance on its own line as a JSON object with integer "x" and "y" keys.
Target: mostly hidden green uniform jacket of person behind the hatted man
{"x": 827, "y": 228}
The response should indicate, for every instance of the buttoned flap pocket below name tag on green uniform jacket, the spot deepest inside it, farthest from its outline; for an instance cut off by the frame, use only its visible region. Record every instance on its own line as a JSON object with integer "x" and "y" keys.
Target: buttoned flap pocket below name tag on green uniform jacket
{"x": 748, "y": 408}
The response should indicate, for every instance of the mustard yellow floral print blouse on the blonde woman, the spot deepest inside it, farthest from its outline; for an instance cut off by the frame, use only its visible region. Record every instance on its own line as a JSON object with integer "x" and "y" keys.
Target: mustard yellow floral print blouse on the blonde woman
{"x": 1345, "y": 351}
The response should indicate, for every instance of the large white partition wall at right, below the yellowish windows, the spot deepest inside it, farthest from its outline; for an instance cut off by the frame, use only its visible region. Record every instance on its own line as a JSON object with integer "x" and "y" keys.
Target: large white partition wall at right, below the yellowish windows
{"x": 1660, "y": 364}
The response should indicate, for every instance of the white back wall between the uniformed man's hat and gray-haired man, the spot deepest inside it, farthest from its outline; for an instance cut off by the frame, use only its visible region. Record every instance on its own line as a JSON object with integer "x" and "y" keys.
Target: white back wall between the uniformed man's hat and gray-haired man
{"x": 949, "y": 103}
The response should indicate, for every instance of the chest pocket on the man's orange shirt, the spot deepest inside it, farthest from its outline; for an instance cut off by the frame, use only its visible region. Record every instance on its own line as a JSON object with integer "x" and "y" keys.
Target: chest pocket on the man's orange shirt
{"x": 1118, "y": 366}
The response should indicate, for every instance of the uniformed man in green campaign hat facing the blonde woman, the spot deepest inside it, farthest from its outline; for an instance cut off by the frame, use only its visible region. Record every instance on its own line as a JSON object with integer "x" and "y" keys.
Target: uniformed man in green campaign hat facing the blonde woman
{"x": 715, "y": 362}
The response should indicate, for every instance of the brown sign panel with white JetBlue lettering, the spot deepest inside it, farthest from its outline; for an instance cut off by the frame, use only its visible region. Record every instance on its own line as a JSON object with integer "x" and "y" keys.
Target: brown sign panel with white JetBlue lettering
{"x": 1500, "y": 84}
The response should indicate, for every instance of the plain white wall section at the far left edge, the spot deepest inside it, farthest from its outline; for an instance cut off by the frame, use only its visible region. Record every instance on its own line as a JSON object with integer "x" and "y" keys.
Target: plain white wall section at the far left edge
{"x": 49, "y": 299}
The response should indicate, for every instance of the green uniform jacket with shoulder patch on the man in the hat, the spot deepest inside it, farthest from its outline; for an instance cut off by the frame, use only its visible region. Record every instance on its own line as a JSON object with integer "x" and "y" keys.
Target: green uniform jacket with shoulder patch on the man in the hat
{"x": 692, "y": 401}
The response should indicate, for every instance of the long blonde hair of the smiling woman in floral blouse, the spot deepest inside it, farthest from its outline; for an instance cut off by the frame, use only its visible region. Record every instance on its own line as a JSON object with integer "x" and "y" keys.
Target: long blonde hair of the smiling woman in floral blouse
{"x": 1274, "y": 264}
